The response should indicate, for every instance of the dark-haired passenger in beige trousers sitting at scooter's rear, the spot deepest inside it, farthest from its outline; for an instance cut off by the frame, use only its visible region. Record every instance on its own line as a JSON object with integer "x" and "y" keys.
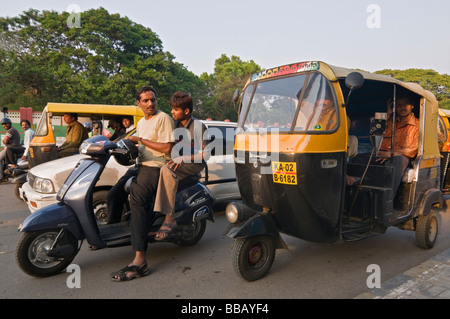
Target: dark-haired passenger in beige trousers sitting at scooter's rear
{"x": 188, "y": 158}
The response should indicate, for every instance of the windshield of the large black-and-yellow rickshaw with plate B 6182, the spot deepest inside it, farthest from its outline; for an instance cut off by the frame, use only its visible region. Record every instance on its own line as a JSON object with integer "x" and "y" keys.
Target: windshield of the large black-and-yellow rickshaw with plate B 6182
{"x": 274, "y": 105}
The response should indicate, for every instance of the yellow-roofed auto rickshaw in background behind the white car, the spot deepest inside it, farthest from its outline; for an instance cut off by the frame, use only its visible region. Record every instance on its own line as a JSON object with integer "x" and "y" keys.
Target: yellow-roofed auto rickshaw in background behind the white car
{"x": 43, "y": 147}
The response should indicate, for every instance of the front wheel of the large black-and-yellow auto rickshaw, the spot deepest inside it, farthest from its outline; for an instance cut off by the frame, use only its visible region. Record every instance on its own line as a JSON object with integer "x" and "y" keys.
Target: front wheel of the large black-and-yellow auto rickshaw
{"x": 253, "y": 256}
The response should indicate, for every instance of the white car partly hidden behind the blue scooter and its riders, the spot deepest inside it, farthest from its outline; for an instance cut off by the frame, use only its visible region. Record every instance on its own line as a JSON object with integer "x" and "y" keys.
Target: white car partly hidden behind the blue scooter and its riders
{"x": 45, "y": 180}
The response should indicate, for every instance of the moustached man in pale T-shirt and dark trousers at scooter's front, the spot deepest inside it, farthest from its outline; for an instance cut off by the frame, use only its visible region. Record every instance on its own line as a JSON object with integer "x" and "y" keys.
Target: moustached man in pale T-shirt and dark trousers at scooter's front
{"x": 154, "y": 135}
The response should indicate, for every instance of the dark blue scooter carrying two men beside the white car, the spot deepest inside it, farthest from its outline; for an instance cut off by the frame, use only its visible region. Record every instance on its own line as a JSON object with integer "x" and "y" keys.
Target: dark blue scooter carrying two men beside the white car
{"x": 53, "y": 235}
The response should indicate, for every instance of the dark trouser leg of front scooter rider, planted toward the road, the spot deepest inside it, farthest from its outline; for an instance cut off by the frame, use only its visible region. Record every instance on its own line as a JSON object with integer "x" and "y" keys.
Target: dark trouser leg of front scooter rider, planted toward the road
{"x": 142, "y": 193}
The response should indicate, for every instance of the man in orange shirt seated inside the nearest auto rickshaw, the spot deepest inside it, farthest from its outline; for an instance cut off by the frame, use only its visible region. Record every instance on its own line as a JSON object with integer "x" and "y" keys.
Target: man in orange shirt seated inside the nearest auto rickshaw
{"x": 406, "y": 139}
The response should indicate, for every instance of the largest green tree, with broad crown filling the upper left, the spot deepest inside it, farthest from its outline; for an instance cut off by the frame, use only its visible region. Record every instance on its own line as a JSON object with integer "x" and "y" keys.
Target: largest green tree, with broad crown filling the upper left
{"x": 104, "y": 61}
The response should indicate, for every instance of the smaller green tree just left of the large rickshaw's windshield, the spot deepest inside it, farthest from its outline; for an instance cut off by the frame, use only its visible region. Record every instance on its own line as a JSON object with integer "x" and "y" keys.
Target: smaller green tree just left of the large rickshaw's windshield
{"x": 229, "y": 74}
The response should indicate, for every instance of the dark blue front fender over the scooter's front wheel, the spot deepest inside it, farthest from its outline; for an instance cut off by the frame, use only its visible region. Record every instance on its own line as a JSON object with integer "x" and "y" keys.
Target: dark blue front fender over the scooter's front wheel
{"x": 56, "y": 215}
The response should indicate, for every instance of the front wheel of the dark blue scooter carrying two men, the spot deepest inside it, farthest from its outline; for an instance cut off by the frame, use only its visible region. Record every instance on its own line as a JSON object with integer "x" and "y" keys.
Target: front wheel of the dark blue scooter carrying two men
{"x": 32, "y": 252}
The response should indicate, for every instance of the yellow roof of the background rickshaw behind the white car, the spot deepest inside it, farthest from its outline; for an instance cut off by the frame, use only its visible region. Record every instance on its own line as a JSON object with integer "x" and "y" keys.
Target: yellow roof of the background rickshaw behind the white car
{"x": 83, "y": 109}
